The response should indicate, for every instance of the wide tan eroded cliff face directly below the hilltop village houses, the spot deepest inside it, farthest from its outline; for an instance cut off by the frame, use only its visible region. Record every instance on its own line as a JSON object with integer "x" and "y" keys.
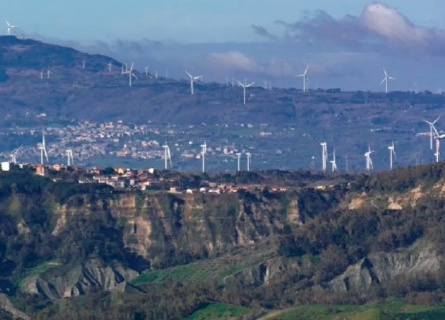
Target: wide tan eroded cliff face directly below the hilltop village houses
{"x": 192, "y": 226}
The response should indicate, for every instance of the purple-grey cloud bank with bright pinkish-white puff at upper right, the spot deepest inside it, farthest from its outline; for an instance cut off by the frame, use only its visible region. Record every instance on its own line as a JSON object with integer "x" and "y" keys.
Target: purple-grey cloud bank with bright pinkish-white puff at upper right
{"x": 378, "y": 28}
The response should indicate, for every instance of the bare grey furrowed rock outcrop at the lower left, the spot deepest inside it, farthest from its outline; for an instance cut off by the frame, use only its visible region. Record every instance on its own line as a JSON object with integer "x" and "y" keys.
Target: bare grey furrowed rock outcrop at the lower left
{"x": 93, "y": 273}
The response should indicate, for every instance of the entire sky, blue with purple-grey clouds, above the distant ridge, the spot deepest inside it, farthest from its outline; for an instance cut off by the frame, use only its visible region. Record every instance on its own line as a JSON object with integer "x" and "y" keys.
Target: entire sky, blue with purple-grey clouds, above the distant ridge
{"x": 345, "y": 43}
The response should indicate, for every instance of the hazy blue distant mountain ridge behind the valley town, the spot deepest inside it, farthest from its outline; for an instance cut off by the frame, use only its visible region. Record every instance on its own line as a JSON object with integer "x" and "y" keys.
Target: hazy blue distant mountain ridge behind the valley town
{"x": 96, "y": 94}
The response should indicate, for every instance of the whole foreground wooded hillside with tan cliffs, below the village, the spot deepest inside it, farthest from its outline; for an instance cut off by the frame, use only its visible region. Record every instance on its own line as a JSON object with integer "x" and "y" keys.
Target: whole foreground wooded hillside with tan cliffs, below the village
{"x": 165, "y": 256}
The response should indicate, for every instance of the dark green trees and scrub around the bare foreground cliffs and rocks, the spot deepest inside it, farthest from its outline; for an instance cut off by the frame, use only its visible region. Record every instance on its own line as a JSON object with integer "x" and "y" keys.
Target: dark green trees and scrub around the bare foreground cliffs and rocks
{"x": 330, "y": 237}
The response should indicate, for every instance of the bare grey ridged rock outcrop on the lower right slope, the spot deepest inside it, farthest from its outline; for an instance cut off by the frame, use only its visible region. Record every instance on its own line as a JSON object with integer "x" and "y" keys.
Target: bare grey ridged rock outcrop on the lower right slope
{"x": 381, "y": 268}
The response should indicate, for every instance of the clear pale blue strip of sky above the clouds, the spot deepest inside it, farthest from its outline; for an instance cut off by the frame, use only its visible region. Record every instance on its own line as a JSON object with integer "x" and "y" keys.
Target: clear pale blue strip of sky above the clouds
{"x": 186, "y": 20}
